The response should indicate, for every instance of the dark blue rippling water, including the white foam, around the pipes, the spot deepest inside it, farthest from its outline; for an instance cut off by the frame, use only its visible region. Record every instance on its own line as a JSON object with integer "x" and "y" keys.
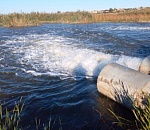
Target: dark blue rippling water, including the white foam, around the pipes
{"x": 54, "y": 67}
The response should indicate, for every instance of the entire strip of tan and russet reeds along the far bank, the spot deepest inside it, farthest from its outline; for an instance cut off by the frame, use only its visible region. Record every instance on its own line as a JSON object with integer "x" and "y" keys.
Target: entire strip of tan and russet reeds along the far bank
{"x": 36, "y": 18}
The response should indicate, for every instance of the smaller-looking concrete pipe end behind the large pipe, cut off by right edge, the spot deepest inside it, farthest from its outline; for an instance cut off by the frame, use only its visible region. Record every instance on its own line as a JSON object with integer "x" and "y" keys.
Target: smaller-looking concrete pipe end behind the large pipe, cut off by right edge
{"x": 145, "y": 66}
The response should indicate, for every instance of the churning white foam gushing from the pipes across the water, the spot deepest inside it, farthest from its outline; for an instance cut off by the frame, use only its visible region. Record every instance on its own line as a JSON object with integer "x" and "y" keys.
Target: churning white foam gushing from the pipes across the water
{"x": 58, "y": 56}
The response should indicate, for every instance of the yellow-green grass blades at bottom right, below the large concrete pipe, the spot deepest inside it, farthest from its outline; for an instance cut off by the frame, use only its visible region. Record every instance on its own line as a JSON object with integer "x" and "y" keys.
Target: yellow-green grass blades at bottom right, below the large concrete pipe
{"x": 142, "y": 118}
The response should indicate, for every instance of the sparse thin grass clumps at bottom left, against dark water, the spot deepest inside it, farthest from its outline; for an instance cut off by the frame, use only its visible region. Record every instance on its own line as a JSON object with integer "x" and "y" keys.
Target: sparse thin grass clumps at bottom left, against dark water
{"x": 11, "y": 119}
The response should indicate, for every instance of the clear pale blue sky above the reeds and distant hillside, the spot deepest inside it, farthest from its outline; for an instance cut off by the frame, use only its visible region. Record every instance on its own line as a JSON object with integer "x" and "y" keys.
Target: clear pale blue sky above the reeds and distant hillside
{"x": 49, "y": 6}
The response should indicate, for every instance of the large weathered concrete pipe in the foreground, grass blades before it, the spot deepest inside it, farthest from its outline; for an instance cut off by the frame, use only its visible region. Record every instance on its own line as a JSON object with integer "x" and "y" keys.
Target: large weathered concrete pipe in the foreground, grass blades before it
{"x": 123, "y": 85}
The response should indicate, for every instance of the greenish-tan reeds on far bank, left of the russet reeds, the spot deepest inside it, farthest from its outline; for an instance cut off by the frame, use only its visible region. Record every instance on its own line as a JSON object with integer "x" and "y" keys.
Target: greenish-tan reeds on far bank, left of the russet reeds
{"x": 36, "y": 18}
